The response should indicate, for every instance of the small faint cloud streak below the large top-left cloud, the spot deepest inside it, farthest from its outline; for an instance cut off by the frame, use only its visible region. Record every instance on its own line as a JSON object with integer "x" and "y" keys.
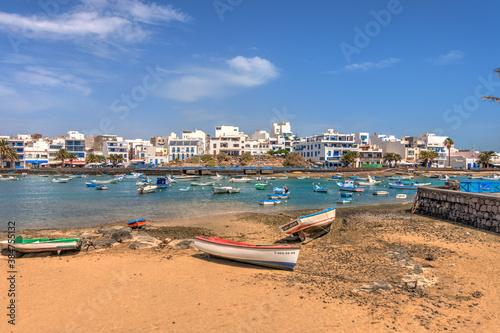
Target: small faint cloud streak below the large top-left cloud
{"x": 51, "y": 78}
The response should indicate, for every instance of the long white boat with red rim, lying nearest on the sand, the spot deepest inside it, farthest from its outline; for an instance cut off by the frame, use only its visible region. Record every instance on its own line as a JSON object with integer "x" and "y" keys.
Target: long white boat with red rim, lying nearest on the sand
{"x": 275, "y": 256}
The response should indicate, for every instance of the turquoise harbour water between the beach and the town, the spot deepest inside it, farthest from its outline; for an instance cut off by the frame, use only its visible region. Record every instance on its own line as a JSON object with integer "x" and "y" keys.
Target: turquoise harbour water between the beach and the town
{"x": 35, "y": 202}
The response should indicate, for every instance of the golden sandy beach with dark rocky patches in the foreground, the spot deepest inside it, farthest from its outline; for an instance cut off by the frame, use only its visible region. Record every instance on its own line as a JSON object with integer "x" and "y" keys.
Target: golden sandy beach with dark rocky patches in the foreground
{"x": 379, "y": 269}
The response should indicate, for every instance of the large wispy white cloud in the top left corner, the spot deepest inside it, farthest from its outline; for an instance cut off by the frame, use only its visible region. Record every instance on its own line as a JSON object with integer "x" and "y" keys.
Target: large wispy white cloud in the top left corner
{"x": 104, "y": 21}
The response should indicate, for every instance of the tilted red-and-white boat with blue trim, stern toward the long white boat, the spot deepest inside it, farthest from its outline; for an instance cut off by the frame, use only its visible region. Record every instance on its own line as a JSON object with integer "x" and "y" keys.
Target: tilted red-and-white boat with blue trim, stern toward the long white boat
{"x": 312, "y": 222}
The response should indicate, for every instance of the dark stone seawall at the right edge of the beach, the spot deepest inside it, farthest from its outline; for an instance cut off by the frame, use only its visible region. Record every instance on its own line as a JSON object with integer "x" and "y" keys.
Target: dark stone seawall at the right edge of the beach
{"x": 479, "y": 210}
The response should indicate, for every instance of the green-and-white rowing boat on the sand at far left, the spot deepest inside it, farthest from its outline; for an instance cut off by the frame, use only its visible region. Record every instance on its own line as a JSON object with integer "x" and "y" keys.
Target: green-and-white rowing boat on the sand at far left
{"x": 45, "y": 244}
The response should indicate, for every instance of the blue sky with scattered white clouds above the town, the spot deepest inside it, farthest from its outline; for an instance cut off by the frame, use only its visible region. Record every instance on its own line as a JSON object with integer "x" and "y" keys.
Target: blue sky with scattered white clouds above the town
{"x": 140, "y": 68}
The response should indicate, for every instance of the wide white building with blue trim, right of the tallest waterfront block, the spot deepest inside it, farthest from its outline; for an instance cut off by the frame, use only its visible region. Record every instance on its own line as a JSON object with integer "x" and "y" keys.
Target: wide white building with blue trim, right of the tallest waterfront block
{"x": 326, "y": 148}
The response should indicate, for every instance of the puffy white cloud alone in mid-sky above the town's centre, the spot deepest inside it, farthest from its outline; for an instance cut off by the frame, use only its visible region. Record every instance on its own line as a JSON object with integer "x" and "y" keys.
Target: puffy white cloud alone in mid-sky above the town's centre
{"x": 195, "y": 83}
